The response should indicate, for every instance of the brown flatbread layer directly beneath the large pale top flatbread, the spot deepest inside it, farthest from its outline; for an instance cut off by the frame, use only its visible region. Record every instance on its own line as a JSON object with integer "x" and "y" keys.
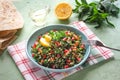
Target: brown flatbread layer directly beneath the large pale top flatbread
{"x": 8, "y": 33}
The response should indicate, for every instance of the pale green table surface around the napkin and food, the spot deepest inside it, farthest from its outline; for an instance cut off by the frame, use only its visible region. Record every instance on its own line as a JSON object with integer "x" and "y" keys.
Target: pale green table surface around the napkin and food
{"x": 106, "y": 70}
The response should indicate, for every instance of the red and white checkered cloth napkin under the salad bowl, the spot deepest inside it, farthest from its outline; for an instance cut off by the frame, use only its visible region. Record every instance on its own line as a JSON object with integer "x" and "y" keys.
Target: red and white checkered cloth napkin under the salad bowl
{"x": 32, "y": 72}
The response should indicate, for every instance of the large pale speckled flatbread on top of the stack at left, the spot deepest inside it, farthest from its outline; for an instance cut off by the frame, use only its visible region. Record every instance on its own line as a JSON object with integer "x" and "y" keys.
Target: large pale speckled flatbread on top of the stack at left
{"x": 10, "y": 18}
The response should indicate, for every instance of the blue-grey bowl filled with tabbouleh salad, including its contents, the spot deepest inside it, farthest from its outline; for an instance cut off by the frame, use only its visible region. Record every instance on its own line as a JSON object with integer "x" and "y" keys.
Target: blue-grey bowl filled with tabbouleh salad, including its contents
{"x": 57, "y": 48}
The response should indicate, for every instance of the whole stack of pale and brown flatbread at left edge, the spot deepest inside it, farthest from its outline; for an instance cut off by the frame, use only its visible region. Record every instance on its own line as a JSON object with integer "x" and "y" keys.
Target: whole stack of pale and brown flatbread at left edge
{"x": 10, "y": 22}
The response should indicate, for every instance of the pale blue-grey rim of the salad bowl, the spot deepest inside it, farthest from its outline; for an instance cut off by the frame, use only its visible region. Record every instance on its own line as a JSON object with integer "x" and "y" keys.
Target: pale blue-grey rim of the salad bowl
{"x": 57, "y": 70}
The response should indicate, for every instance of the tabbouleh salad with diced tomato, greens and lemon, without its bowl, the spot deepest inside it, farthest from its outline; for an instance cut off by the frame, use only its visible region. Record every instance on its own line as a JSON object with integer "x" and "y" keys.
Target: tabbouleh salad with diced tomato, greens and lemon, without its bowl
{"x": 58, "y": 49}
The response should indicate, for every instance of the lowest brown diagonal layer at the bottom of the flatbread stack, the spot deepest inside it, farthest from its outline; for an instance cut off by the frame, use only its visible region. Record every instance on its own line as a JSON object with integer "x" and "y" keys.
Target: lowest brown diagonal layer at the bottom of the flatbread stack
{"x": 6, "y": 43}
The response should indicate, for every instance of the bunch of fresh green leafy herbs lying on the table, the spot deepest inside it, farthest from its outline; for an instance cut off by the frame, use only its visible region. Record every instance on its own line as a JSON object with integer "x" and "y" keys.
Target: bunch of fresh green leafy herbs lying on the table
{"x": 96, "y": 12}
